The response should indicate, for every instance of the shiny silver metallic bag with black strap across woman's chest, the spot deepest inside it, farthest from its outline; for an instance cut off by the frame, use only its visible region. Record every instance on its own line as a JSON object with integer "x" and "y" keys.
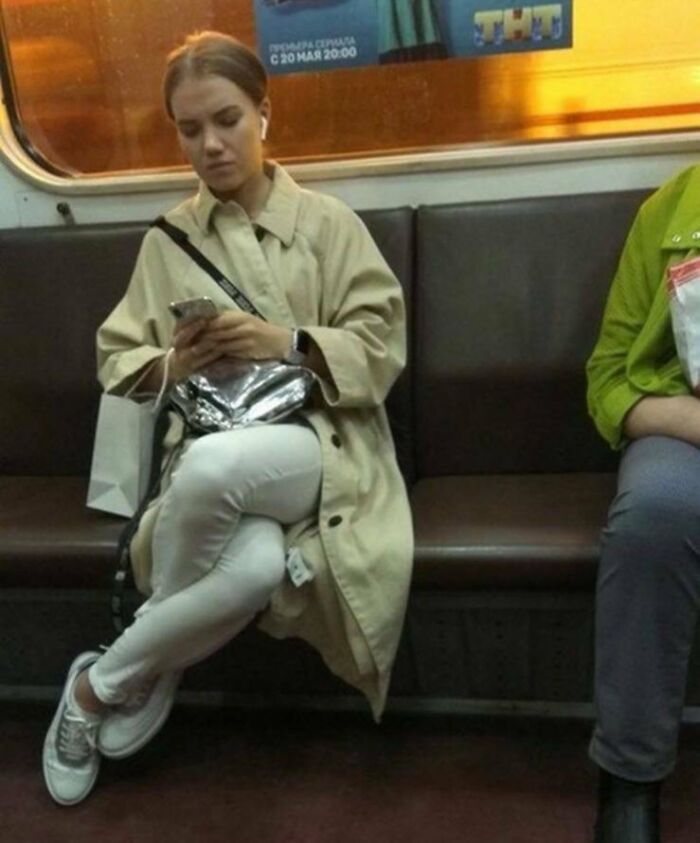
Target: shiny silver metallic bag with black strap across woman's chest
{"x": 233, "y": 393}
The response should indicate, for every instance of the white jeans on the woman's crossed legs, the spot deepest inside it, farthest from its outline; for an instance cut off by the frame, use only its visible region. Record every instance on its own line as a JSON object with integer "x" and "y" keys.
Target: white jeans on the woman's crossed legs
{"x": 218, "y": 550}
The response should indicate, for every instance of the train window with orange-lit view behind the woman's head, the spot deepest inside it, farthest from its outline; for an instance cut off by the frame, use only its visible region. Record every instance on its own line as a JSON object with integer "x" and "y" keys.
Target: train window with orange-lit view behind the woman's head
{"x": 84, "y": 85}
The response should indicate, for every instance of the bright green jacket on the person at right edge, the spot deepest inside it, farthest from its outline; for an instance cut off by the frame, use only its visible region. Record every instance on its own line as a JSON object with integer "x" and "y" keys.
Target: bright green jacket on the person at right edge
{"x": 636, "y": 354}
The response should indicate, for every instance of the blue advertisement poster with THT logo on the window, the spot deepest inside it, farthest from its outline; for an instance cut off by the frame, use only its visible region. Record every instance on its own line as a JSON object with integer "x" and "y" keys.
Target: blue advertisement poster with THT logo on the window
{"x": 310, "y": 35}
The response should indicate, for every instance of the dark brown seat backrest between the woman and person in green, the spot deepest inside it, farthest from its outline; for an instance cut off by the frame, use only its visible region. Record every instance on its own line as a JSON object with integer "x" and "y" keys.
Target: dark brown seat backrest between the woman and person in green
{"x": 508, "y": 298}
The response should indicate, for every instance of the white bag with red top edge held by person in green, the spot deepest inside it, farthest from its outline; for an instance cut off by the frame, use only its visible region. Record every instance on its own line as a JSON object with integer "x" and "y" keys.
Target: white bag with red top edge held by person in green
{"x": 683, "y": 283}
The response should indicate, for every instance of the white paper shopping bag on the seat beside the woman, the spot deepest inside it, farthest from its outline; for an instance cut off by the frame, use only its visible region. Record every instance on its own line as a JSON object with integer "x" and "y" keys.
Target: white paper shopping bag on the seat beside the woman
{"x": 121, "y": 457}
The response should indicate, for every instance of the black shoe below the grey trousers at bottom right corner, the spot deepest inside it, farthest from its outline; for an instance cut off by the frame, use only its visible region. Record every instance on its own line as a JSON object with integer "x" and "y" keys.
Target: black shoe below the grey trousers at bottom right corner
{"x": 628, "y": 812}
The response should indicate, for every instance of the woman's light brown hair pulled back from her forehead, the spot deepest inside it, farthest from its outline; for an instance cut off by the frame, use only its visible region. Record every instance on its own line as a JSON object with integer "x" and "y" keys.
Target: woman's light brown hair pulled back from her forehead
{"x": 215, "y": 54}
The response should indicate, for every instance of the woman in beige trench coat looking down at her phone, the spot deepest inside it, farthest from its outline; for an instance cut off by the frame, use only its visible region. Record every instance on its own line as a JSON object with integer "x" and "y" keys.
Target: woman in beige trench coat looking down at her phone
{"x": 211, "y": 550}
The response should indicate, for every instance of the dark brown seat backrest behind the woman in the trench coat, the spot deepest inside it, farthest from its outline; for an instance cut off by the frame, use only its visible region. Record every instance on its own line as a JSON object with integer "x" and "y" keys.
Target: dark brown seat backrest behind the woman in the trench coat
{"x": 56, "y": 286}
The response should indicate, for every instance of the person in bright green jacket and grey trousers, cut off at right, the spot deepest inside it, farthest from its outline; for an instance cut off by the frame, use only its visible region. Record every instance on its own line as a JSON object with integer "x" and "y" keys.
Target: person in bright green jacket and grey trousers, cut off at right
{"x": 648, "y": 590}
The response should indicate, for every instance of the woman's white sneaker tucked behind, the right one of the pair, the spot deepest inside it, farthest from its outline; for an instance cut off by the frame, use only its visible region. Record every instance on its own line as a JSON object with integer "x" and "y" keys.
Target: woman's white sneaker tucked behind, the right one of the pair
{"x": 128, "y": 727}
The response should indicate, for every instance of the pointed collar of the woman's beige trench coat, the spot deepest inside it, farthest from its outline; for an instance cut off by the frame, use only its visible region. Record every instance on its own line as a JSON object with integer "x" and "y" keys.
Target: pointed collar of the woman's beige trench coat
{"x": 279, "y": 216}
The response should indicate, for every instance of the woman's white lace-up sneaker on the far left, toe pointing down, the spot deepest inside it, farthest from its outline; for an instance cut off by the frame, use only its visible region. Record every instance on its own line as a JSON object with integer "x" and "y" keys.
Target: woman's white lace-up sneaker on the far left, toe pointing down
{"x": 71, "y": 760}
